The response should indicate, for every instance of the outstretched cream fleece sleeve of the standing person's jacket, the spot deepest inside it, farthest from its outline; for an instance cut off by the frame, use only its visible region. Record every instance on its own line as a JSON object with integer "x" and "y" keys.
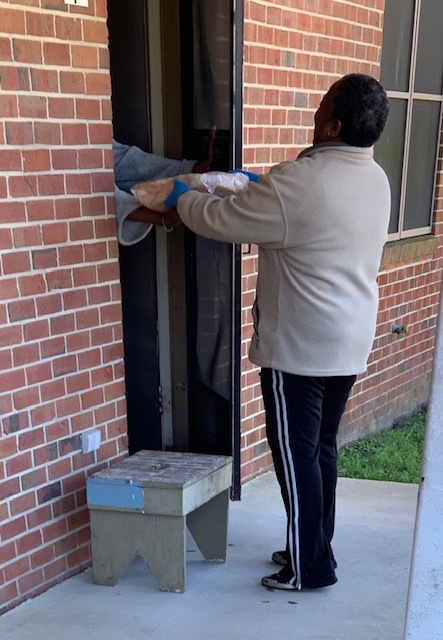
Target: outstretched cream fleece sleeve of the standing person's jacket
{"x": 255, "y": 215}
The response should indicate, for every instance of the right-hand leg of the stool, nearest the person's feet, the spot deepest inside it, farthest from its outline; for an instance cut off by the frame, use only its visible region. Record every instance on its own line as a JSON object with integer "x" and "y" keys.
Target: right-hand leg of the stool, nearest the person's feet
{"x": 208, "y": 525}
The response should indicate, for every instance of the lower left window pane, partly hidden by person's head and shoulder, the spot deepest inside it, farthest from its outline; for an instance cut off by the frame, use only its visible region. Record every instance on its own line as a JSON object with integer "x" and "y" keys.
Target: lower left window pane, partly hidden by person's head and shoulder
{"x": 389, "y": 152}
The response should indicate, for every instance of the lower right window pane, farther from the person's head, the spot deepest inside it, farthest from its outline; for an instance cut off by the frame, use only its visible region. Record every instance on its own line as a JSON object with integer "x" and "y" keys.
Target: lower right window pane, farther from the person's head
{"x": 421, "y": 165}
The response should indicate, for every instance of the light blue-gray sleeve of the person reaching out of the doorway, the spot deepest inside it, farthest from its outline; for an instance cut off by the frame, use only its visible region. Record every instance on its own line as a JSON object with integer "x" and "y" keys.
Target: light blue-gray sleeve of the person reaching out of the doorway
{"x": 133, "y": 166}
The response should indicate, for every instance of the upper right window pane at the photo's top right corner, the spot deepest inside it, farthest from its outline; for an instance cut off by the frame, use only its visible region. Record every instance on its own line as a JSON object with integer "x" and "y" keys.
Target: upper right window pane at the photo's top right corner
{"x": 429, "y": 73}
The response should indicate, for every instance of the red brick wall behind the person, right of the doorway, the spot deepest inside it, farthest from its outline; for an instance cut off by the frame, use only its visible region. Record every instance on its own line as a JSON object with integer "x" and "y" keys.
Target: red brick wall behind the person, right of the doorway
{"x": 294, "y": 50}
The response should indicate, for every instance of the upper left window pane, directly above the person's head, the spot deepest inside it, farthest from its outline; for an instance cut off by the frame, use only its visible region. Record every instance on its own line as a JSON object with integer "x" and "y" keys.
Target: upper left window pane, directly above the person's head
{"x": 397, "y": 44}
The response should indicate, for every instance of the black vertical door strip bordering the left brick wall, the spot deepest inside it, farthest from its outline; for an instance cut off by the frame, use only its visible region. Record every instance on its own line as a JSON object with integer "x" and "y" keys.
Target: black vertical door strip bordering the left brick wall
{"x": 127, "y": 23}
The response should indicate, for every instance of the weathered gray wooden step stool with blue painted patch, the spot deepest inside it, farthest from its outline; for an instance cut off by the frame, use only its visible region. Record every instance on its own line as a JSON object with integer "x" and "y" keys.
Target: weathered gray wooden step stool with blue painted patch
{"x": 143, "y": 504}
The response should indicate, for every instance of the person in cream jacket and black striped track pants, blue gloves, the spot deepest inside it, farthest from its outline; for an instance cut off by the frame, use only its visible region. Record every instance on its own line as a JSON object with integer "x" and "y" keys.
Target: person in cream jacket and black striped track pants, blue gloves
{"x": 320, "y": 223}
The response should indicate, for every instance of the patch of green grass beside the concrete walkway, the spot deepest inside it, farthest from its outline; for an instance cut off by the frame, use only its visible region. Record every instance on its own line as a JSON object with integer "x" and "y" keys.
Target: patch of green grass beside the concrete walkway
{"x": 393, "y": 455}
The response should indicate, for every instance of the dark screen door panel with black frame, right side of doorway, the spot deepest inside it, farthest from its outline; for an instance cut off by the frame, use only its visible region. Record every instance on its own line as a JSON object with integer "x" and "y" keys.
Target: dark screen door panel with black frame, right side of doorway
{"x": 211, "y": 53}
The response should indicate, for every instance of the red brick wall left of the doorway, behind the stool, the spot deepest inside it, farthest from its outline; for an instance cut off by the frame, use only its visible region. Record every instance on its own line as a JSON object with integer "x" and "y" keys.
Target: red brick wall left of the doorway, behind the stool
{"x": 60, "y": 313}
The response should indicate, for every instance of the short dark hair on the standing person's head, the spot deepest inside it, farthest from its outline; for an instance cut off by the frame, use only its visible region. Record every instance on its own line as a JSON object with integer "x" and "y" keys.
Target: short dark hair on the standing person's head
{"x": 362, "y": 106}
